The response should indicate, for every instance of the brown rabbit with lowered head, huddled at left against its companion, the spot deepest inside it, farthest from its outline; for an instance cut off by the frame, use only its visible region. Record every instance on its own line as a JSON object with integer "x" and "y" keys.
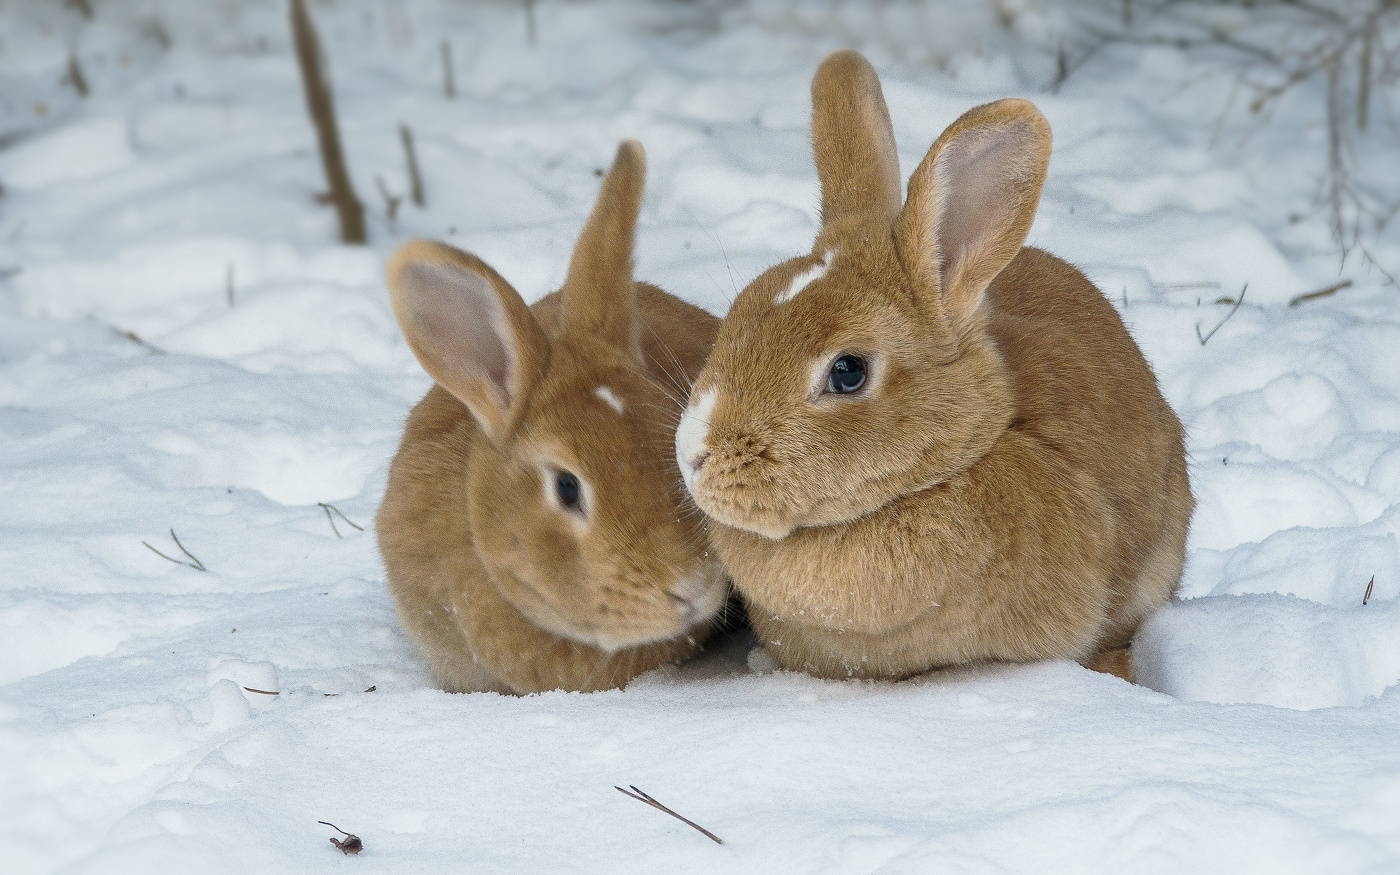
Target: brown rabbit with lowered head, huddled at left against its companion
{"x": 534, "y": 530}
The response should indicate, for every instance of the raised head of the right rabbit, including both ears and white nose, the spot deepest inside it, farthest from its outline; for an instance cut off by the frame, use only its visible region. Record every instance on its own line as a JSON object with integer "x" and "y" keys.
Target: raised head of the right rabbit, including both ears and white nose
{"x": 864, "y": 372}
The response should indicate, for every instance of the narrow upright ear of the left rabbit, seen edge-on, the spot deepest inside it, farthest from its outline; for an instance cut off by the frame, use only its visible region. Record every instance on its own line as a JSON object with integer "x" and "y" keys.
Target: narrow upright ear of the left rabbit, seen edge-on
{"x": 600, "y": 297}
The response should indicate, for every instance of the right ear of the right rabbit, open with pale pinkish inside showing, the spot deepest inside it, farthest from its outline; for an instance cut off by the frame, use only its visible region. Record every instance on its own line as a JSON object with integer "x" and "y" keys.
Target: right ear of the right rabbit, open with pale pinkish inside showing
{"x": 972, "y": 201}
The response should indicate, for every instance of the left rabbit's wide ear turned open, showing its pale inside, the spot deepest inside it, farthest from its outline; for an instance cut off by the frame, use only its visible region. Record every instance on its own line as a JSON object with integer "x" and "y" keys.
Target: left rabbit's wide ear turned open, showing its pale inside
{"x": 470, "y": 330}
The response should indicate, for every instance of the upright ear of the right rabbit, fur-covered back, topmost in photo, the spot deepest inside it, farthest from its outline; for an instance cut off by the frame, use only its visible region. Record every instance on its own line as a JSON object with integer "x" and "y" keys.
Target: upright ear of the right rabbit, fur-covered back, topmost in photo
{"x": 853, "y": 141}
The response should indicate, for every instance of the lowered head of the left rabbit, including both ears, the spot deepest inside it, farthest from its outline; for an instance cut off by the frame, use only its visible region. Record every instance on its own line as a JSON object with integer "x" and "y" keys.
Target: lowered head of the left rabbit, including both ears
{"x": 573, "y": 496}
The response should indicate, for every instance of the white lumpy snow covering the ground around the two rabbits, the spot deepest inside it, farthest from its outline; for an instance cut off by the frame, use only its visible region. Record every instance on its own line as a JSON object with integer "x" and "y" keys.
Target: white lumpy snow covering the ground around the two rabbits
{"x": 185, "y": 352}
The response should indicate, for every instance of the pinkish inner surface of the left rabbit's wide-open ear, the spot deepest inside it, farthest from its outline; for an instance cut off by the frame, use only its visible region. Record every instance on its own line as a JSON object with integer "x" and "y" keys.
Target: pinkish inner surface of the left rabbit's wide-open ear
{"x": 458, "y": 327}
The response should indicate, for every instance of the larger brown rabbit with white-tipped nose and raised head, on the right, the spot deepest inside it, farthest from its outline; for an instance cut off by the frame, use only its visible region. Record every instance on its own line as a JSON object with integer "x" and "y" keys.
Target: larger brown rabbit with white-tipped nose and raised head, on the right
{"x": 925, "y": 446}
